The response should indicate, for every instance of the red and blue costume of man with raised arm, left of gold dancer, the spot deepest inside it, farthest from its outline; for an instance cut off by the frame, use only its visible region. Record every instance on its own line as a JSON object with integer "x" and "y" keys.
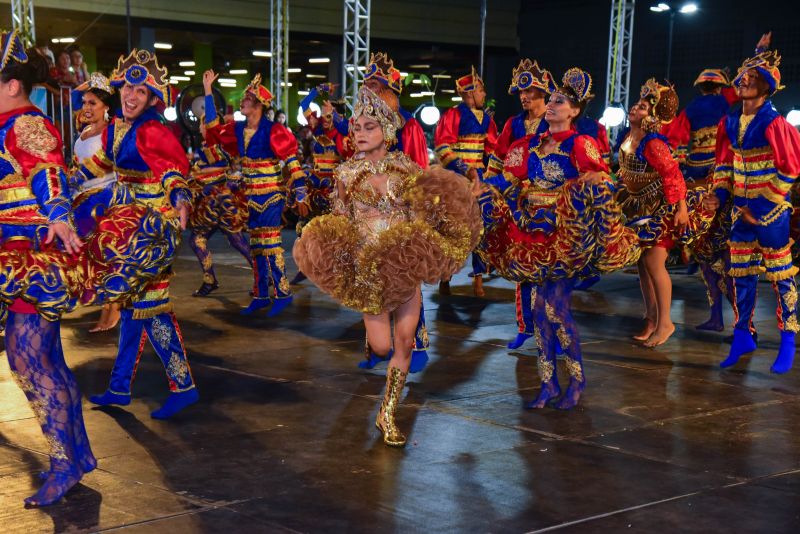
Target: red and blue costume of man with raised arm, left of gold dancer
{"x": 260, "y": 152}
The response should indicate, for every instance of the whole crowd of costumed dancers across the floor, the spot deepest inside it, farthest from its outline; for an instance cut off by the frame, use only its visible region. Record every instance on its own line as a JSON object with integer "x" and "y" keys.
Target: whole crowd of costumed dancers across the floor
{"x": 536, "y": 202}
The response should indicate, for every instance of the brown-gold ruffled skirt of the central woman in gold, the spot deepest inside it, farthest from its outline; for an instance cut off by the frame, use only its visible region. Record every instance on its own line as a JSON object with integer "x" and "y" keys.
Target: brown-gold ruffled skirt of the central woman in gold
{"x": 379, "y": 275}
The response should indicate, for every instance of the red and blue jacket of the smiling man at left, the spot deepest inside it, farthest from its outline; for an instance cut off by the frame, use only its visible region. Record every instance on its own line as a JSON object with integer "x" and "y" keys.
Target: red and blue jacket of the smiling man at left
{"x": 148, "y": 159}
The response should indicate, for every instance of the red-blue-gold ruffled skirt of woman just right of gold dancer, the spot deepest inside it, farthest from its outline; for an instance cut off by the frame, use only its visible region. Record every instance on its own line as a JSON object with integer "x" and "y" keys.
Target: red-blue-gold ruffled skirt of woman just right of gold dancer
{"x": 588, "y": 238}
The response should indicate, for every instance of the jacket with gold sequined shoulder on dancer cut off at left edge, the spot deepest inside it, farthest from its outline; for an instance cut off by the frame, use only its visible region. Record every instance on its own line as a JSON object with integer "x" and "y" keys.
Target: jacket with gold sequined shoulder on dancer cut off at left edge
{"x": 33, "y": 184}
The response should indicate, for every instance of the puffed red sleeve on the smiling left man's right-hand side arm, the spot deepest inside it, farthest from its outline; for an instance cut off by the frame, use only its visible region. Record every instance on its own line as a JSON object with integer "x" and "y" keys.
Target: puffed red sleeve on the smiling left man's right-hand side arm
{"x": 166, "y": 159}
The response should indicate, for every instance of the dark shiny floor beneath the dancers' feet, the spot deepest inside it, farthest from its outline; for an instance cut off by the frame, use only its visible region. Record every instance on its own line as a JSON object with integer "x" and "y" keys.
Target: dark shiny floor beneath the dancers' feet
{"x": 283, "y": 439}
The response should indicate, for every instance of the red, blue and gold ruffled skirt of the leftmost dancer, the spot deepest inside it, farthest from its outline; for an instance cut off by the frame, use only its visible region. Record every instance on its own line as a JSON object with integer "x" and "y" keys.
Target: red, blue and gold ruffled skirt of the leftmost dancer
{"x": 125, "y": 247}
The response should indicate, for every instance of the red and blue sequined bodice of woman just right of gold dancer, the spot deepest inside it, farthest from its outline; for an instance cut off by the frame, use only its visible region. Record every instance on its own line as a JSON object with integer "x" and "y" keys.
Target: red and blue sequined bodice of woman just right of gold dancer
{"x": 532, "y": 179}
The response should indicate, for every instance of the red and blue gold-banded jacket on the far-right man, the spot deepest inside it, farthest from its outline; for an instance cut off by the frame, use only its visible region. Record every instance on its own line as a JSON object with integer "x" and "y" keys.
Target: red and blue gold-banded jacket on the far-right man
{"x": 757, "y": 162}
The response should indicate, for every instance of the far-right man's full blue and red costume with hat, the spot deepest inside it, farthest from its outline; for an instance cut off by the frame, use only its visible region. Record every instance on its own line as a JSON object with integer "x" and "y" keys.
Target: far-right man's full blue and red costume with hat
{"x": 757, "y": 164}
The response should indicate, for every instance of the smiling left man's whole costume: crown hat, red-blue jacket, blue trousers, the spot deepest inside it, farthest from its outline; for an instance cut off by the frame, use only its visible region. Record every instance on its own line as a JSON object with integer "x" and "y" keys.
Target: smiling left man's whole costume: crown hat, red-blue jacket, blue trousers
{"x": 152, "y": 165}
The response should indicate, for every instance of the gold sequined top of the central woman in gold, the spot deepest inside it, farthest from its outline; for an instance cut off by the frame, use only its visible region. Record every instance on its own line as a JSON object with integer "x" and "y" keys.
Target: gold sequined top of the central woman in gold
{"x": 373, "y": 208}
